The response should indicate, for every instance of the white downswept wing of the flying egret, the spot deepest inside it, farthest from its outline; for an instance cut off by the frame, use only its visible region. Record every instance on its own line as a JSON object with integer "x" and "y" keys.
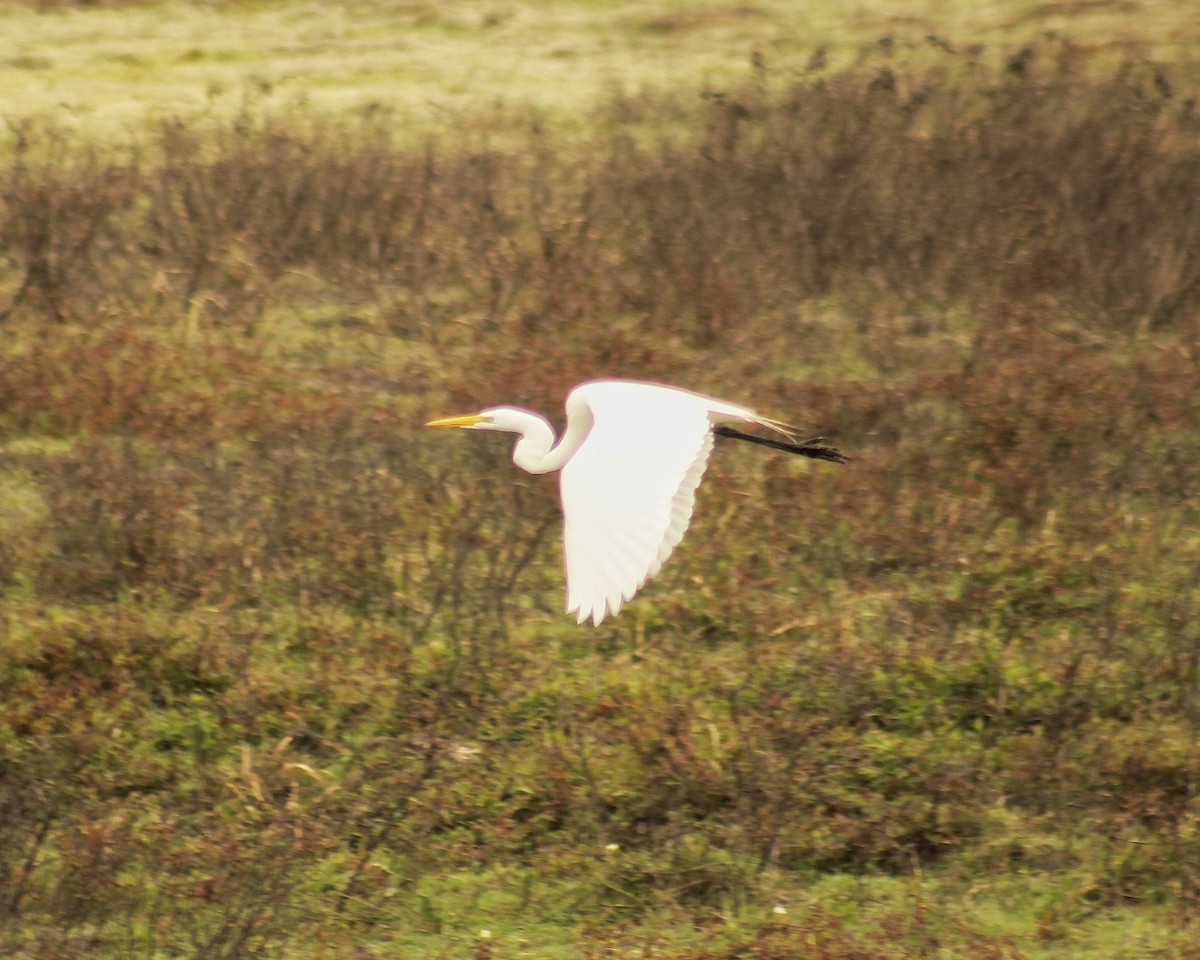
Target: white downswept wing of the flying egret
{"x": 629, "y": 490}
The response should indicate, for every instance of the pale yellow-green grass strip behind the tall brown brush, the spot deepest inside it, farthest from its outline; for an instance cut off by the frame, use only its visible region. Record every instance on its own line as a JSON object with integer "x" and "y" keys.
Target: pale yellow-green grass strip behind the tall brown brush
{"x": 106, "y": 65}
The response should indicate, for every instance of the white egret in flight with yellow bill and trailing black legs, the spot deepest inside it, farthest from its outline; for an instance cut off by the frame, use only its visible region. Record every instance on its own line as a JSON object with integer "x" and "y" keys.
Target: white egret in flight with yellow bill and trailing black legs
{"x": 631, "y": 461}
